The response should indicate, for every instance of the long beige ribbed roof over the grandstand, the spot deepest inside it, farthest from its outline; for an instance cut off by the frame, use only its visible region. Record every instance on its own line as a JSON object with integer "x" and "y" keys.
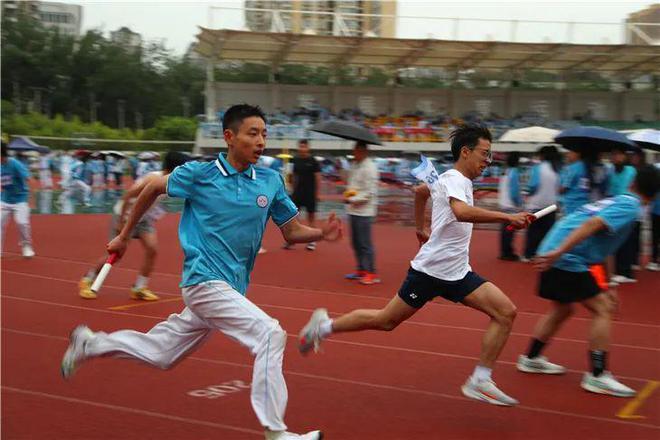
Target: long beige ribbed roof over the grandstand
{"x": 285, "y": 48}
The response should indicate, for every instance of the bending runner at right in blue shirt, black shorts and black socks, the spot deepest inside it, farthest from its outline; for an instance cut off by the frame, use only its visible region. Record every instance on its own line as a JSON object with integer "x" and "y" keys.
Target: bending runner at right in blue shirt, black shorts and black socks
{"x": 571, "y": 258}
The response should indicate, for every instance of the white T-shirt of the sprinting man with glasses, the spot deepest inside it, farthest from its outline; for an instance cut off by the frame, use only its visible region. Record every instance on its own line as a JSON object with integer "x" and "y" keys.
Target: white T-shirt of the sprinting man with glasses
{"x": 446, "y": 254}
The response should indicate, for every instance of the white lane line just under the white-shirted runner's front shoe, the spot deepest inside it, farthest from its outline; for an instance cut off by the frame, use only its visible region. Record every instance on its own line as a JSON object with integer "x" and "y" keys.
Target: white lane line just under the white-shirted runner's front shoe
{"x": 390, "y": 387}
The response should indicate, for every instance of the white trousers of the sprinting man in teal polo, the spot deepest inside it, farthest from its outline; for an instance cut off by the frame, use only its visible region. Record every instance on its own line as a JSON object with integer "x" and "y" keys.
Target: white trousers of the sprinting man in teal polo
{"x": 212, "y": 305}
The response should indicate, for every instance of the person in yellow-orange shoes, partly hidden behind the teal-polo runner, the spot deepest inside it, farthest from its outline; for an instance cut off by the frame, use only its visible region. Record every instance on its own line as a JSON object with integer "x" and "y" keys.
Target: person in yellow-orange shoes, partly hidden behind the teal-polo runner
{"x": 144, "y": 231}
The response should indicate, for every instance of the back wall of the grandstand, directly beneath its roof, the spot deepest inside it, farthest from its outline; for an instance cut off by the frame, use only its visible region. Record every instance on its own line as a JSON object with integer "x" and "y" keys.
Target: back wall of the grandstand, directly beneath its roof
{"x": 555, "y": 104}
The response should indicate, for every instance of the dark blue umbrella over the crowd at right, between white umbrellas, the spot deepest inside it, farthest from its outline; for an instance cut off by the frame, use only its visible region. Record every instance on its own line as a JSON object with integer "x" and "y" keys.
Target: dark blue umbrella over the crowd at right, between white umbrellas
{"x": 595, "y": 139}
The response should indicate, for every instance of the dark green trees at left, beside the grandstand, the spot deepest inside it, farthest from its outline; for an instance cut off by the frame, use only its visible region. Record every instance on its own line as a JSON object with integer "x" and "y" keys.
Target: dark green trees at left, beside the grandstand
{"x": 95, "y": 79}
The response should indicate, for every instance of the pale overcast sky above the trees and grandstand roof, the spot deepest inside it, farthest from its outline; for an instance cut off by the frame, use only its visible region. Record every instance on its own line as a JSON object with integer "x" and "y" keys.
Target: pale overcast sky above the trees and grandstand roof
{"x": 175, "y": 22}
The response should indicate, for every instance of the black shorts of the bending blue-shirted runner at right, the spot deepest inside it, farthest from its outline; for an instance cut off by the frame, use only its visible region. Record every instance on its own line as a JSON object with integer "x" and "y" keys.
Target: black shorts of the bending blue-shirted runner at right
{"x": 567, "y": 287}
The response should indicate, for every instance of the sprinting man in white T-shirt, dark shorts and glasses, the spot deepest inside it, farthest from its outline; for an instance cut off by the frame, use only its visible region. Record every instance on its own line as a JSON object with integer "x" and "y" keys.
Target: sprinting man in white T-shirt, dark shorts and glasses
{"x": 441, "y": 267}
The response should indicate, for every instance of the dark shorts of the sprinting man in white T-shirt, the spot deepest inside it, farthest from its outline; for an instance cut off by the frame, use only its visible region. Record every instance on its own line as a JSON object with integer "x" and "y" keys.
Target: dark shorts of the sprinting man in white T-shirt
{"x": 418, "y": 288}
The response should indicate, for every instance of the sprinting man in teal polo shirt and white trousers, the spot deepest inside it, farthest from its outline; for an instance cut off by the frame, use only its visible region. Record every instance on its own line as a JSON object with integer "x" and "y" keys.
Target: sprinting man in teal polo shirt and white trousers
{"x": 227, "y": 205}
